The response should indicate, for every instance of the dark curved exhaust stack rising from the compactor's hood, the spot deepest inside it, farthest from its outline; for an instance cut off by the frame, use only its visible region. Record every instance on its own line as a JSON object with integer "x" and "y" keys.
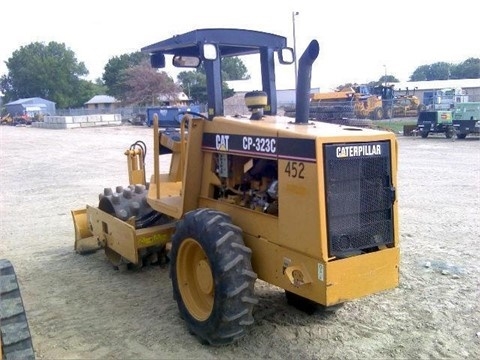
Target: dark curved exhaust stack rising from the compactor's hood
{"x": 302, "y": 100}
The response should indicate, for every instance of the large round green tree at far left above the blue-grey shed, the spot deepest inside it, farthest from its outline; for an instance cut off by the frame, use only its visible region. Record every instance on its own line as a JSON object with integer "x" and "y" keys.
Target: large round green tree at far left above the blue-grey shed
{"x": 50, "y": 71}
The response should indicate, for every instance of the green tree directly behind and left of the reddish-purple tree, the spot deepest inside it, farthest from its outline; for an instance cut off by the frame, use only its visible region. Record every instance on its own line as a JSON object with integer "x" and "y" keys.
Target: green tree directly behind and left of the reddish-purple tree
{"x": 114, "y": 72}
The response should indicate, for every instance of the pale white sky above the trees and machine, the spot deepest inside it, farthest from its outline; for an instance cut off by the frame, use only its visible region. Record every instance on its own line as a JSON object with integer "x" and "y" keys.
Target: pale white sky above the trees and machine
{"x": 360, "y": 41}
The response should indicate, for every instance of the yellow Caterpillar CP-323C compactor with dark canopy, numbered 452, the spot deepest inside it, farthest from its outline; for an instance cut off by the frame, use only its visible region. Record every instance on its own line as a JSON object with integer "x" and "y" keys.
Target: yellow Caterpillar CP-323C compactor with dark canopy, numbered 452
{"x": 306, "y": 206}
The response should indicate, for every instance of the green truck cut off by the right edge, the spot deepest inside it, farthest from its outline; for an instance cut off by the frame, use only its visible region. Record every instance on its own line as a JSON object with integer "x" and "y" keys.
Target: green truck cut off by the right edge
{"x": 466, "y": 119}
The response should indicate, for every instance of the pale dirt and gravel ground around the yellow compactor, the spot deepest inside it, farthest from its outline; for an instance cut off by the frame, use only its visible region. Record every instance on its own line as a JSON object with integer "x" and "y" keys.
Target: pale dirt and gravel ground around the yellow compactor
{"x": 79, "y": 307}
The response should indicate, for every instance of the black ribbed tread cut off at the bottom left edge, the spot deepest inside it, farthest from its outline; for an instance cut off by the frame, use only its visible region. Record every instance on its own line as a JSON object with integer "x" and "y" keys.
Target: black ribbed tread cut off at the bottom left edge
{"x": 16, "y": 340}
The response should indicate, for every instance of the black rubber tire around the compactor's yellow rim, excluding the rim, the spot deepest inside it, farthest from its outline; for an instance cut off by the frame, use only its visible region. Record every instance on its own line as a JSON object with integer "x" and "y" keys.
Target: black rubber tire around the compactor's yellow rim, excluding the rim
{"x": 234, "y": 277}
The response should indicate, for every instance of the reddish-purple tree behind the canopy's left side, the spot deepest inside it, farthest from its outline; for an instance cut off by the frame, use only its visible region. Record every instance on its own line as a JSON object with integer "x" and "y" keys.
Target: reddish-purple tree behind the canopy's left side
{"x": 144, "y": 85}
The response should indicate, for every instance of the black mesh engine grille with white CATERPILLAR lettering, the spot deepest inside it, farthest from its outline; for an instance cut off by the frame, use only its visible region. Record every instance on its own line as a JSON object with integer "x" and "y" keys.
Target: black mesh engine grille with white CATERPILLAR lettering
{"x": 360, "y": 197}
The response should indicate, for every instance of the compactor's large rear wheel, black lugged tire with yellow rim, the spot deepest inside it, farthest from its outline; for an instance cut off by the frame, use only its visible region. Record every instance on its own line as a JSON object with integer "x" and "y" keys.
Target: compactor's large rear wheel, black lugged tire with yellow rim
{"x": 212, "y": 277}
